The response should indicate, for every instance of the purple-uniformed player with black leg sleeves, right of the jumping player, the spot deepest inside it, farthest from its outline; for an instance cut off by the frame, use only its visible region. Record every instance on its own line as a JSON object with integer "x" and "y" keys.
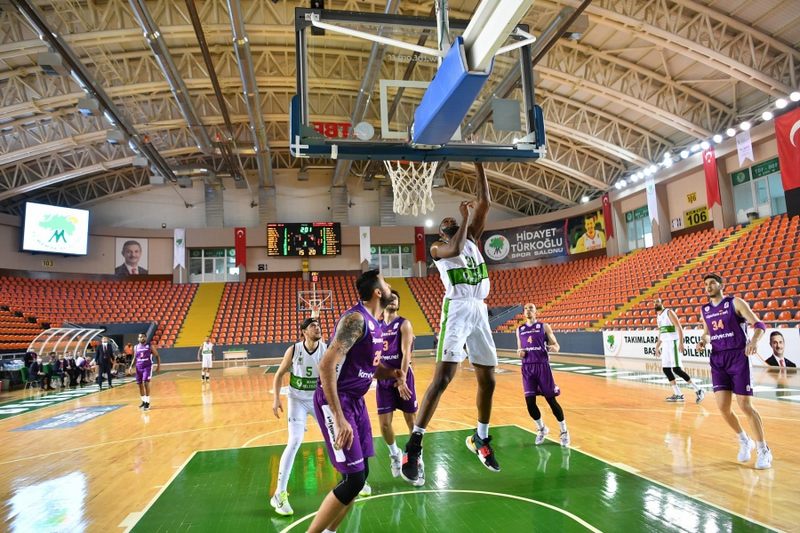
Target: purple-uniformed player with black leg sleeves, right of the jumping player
{"x": 534, "y": 340}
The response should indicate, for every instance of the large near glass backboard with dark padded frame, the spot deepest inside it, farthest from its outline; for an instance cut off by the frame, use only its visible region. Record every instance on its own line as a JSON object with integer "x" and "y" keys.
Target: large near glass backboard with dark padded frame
{"x": 352, "y": 103}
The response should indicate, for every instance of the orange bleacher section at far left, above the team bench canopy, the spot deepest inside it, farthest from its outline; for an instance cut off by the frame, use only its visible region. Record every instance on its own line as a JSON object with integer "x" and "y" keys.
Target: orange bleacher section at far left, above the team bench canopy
{"x": 55, "y": 301}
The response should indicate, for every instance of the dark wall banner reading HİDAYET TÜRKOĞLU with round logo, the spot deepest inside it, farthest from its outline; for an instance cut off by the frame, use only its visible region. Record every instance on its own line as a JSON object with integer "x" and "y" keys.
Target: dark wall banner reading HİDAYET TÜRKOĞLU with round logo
{"x": 525, "y": 243}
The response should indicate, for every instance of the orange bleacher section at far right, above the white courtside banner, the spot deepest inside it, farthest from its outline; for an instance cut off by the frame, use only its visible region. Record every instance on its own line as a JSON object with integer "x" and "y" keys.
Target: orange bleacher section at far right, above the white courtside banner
{"x": 762, "y": 268}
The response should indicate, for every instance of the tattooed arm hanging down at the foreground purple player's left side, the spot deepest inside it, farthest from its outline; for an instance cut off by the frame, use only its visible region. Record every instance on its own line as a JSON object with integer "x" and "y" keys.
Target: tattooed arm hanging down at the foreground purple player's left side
{"x": 348, "y": 332}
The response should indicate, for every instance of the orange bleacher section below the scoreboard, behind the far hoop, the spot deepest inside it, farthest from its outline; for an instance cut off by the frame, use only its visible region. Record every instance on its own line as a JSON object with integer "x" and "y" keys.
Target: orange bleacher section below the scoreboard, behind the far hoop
{"x": 266, "y": 310}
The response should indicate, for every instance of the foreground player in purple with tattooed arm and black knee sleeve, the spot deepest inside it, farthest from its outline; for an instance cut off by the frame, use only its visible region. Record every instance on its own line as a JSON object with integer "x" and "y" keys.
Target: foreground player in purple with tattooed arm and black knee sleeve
{"x": 339, "y": 399}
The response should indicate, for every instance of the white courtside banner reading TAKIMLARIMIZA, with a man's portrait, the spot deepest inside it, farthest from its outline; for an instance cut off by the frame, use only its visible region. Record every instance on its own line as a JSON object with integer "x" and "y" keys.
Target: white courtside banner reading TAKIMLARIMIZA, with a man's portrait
{"x": 641, "y": 344}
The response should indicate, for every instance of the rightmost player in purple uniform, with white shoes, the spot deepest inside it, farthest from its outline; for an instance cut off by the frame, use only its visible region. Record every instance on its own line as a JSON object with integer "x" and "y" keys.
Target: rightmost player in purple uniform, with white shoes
{"x": 725, "y": 320}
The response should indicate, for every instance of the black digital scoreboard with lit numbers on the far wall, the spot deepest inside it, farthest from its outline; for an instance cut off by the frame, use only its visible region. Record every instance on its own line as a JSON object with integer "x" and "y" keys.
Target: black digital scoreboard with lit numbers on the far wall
{"x": 313, "y": 239}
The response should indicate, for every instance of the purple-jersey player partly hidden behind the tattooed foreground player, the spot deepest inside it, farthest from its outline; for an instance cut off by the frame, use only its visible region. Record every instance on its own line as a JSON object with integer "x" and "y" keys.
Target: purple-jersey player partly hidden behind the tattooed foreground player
{"x": 398, "y": 338}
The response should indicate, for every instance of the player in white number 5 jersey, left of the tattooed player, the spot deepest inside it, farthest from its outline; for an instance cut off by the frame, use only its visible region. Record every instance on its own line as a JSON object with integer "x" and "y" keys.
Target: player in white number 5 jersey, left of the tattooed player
{"x": 301, "y": 361}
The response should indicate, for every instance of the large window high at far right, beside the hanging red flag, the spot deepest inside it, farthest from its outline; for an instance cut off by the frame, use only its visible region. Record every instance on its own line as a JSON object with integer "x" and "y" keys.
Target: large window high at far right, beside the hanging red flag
{"x": 758, "y": 191}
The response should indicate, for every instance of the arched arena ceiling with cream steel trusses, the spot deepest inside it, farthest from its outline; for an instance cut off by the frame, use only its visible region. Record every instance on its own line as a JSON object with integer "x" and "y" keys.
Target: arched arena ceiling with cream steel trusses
{"x": 647, "y": 77}
